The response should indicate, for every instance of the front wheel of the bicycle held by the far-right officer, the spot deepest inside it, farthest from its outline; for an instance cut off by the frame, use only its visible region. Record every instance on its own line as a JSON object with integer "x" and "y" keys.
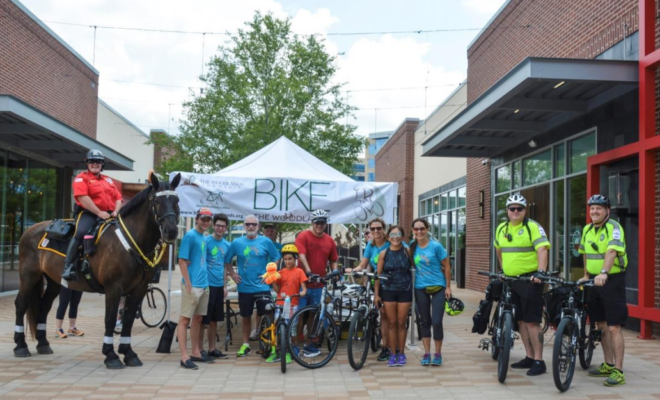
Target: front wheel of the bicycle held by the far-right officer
{"x": 563, "y": 354}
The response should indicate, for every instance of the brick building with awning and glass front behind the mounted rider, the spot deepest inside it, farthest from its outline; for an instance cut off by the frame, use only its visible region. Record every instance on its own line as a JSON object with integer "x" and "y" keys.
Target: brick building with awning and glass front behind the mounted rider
{"x": 48, "y": 121}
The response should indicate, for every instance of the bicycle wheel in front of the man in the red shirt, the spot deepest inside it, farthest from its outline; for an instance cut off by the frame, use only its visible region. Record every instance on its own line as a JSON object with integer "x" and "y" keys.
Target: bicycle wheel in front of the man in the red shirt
{"x": 321, "y": 330}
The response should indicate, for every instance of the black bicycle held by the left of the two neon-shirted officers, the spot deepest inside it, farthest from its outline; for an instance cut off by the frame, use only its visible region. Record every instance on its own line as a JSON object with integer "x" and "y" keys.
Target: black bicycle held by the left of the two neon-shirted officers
{"x": 501, "y": 329}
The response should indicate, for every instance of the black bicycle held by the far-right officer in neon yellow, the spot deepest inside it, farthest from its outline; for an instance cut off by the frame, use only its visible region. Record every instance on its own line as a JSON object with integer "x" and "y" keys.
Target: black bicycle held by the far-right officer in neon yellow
{"x": 575, "y": 334}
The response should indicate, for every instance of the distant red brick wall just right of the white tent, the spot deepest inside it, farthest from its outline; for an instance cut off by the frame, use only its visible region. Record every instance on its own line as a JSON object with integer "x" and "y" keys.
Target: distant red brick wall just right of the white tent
{"x": 395, "y": 163}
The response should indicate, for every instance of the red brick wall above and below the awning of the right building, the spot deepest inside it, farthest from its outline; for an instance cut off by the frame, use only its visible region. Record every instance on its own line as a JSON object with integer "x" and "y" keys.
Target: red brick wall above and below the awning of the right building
{"x": 567, "y": 29}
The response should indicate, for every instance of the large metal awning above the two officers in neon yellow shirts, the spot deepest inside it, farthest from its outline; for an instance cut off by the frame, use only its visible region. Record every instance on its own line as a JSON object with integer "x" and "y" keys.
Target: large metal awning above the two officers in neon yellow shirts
{"x": 536, "y": 96}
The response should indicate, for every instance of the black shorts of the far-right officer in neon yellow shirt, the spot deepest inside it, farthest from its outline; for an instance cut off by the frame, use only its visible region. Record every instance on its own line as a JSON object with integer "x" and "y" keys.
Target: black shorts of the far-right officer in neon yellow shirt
{"x": 608, "y": 303}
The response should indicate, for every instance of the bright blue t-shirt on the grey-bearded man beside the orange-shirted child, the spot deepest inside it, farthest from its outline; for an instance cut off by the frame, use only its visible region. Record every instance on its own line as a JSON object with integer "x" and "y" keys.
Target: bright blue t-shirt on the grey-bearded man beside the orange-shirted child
{"x": 252, "y": 255}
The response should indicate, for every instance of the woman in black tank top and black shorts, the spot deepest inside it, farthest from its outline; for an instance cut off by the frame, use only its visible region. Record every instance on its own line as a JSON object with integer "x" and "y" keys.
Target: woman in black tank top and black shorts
{"x": 395, "y": 292}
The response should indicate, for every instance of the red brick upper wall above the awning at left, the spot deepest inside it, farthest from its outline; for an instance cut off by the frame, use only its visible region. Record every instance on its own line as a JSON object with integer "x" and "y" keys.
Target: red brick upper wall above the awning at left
{"x": 39, "y": 70}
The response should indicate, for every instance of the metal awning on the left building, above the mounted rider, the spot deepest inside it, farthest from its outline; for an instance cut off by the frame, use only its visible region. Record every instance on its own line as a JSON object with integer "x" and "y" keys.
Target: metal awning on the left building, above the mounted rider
{"x": 30, "y": 132}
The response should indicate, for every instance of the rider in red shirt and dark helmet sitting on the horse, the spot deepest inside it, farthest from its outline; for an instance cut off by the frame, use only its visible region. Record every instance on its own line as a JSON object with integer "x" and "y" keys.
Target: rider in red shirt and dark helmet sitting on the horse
{"x": 96, "y": 197}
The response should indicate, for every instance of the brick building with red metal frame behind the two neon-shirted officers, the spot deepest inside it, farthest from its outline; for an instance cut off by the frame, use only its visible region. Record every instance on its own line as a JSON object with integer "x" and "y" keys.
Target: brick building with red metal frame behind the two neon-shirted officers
{"x": 557, "y": 111}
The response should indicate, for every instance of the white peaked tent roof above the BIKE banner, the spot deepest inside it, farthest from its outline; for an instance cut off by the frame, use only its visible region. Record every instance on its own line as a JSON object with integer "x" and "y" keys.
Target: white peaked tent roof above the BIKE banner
{"x": 283, "y": 159}
